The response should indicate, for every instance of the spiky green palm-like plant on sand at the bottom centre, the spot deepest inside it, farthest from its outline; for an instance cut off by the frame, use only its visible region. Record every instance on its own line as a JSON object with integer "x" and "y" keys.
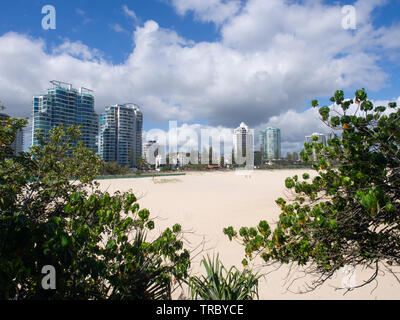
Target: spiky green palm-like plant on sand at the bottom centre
{"x": 223, "y": 284}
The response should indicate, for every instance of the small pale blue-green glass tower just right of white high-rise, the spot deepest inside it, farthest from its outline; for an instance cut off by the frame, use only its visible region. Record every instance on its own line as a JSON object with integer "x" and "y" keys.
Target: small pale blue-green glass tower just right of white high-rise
{"x": 270, "y": 144}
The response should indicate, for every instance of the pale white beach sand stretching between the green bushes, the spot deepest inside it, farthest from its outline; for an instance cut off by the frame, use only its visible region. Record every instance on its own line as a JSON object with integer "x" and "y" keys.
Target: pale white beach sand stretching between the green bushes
{"x": 205, "y": 203}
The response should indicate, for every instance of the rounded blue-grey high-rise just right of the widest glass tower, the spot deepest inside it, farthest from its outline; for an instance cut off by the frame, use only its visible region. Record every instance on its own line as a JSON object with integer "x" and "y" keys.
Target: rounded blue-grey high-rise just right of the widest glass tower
{"x": 120, "y": 138}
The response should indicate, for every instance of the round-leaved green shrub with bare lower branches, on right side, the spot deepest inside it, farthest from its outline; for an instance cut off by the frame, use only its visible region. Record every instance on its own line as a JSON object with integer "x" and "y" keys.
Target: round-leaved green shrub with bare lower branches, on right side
{"x": 347, "y": 214}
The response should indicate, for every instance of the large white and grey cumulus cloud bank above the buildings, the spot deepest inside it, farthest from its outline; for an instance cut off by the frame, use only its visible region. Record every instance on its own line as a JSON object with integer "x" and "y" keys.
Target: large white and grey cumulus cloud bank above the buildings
{"x": 271, "y": 58}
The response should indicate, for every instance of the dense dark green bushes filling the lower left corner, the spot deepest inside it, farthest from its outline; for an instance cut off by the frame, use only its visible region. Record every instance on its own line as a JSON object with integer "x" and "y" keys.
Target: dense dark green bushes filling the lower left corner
{"x": 53, "y": 213}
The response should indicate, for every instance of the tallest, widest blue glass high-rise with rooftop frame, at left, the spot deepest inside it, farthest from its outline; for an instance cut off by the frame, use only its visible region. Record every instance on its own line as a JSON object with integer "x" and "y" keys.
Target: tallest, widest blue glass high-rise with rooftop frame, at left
{"x": 63, "y": 105}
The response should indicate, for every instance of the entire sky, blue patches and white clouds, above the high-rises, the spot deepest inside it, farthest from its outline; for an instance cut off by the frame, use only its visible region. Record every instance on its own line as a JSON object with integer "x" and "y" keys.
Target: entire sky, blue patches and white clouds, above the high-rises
{"x": 203, "y": 63}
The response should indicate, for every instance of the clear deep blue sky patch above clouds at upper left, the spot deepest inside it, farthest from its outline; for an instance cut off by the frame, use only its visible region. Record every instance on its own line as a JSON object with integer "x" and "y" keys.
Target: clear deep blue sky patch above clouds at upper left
{"x": 81, "y": 20}
